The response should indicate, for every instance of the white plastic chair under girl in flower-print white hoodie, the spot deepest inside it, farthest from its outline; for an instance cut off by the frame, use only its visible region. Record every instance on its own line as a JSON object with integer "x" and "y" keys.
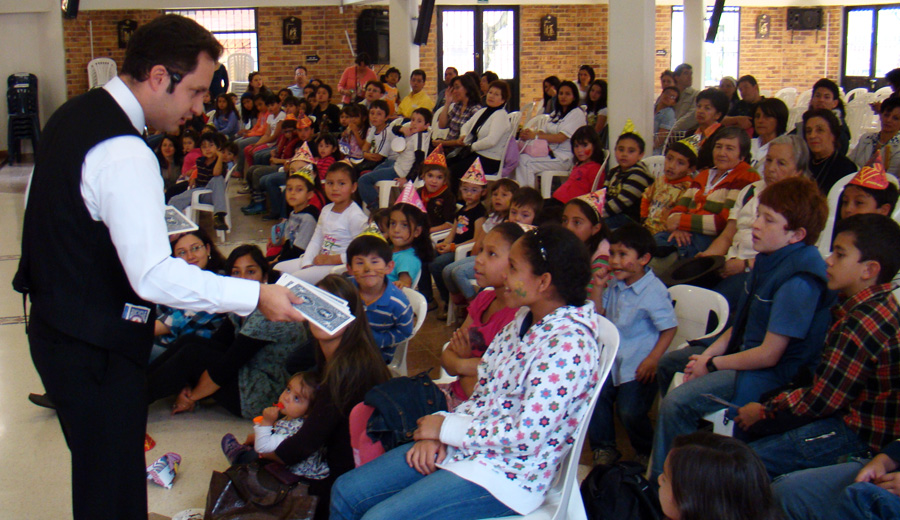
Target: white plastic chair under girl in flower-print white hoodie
{"x": 563, "y": 500}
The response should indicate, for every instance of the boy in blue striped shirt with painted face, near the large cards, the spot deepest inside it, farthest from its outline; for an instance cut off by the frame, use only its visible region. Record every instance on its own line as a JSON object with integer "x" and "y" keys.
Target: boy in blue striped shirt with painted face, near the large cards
{"x": 387, "y": 308}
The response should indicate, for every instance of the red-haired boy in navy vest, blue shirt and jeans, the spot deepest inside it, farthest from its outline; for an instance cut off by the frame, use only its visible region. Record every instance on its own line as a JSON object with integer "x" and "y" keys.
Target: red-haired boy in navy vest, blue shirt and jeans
{"x": 779, "y": 324}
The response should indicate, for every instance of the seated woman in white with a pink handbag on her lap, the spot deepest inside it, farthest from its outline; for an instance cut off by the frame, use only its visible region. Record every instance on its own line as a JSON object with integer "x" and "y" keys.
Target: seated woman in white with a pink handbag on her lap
{"x": 563, "y": 122}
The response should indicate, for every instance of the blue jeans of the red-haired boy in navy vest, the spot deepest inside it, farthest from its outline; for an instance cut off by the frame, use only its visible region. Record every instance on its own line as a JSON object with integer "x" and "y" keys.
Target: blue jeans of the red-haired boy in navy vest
{"x": 683, "y": 407}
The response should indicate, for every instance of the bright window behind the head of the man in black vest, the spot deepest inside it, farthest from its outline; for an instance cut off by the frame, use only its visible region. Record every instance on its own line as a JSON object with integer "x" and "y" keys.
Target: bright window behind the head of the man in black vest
{"x": 235, "y": 29}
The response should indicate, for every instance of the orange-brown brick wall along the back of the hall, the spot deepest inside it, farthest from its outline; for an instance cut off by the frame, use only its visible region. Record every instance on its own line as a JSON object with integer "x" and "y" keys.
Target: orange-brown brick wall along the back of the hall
{"x": 776, "y": 62}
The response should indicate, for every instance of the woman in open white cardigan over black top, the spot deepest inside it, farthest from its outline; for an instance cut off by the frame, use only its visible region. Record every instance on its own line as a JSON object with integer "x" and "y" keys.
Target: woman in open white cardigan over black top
{"x": 486, "y": 133}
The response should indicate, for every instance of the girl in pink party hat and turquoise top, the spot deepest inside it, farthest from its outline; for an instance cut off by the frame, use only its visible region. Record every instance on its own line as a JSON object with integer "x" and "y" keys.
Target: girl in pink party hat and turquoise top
{"x": 408, "y": 234}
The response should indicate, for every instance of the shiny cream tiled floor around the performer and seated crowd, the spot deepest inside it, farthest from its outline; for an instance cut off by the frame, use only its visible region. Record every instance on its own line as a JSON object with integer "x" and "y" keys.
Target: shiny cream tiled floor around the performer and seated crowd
{"x": 32, "y": 450}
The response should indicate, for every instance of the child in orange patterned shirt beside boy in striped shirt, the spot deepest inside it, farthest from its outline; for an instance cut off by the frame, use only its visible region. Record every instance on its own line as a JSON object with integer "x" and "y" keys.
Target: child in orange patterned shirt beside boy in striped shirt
{"x": 660, "y": 197}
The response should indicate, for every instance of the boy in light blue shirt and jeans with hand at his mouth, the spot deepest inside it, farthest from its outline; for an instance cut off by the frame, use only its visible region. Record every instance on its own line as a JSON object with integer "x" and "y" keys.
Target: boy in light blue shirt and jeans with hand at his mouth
{"x": 640, "y": 307}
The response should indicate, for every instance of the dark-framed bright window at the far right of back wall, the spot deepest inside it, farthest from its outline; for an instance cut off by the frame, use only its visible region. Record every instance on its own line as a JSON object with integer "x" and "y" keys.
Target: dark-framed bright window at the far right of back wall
{"x": 871, "y": 45}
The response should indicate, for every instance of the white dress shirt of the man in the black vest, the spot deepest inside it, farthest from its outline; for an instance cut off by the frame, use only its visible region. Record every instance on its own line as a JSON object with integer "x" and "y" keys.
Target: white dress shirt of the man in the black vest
{"x": 122, "y": 188}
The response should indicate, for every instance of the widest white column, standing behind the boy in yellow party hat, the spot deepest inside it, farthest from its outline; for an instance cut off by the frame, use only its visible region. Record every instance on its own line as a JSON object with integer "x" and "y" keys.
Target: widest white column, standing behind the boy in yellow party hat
{"x": 632, "y": 85}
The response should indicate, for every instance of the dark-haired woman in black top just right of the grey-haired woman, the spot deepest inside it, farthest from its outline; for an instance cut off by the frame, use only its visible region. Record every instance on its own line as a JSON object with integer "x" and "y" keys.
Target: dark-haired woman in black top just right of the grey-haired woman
{"x": 822, "y": 132}
